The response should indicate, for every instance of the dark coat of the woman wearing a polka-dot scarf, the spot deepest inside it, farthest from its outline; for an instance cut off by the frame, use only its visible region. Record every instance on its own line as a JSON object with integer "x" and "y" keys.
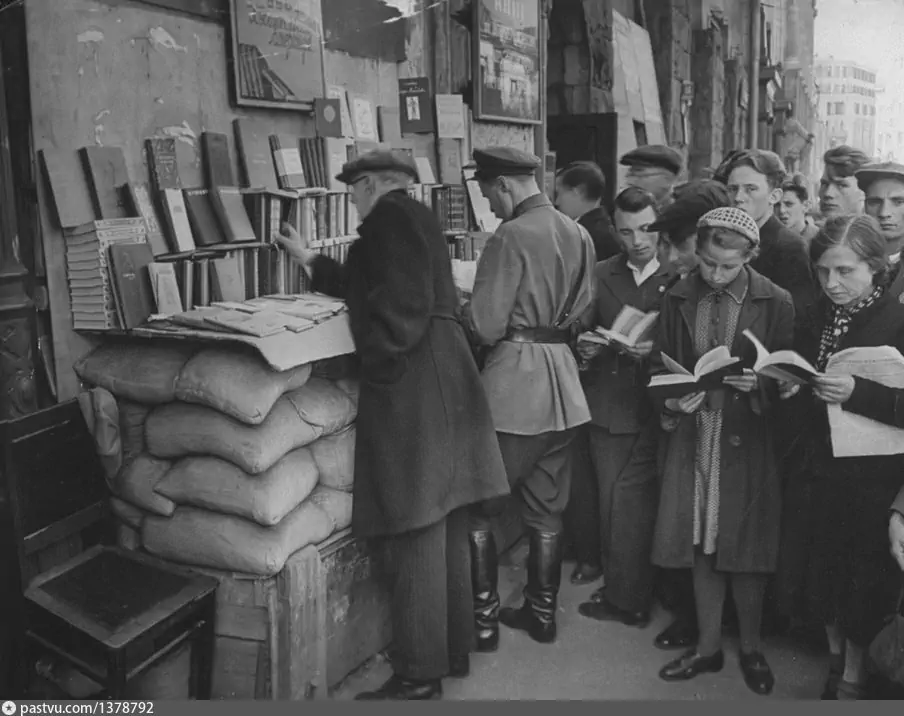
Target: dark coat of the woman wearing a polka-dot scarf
{"x": 835, "y": 551}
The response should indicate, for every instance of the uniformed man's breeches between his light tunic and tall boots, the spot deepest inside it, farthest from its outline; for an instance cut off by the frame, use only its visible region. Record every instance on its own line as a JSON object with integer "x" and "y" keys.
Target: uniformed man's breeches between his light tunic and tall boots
{"x": 538, "y": 468}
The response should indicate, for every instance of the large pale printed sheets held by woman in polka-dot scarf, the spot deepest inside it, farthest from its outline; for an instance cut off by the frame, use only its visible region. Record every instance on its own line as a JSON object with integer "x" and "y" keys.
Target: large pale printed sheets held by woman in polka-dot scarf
{"x": 854, "y": 435}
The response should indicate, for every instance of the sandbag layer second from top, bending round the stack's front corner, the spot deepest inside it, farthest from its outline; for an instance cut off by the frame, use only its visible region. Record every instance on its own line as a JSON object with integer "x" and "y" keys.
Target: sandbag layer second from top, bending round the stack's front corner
{"x": 297, "y": 419}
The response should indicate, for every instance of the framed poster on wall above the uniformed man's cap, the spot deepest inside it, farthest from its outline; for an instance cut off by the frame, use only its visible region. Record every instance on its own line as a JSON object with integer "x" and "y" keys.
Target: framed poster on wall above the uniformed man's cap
{"x": 507, "y": 51}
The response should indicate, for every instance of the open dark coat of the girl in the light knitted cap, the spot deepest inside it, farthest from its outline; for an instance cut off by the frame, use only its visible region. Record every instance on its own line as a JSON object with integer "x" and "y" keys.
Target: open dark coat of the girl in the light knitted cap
{"x": 750, "y": 505}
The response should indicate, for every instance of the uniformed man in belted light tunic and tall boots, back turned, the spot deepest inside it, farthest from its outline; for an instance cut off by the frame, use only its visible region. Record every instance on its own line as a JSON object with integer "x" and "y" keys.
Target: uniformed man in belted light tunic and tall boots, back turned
{"x": 533, "y": 283}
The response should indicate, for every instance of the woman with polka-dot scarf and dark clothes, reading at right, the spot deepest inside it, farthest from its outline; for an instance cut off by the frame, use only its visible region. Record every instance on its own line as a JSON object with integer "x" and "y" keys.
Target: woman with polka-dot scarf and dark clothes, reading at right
{"x": 836, "y": 564}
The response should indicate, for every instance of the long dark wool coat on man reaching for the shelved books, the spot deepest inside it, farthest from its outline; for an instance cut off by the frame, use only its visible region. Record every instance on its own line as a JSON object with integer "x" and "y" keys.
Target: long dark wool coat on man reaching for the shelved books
{"x": 425, "y": 439}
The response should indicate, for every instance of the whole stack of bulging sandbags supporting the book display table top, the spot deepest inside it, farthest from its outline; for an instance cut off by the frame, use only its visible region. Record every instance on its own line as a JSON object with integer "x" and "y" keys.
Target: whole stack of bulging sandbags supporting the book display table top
{"x": 225, "y": 462}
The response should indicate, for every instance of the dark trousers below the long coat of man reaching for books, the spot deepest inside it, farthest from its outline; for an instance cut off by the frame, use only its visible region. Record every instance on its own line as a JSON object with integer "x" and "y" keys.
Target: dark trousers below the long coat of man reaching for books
{"x": 432, "y": 613}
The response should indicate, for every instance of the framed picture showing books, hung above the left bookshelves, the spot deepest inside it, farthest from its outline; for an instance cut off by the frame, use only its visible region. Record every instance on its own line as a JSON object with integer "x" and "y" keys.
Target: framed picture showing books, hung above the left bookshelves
{"x": 277, "y": 53}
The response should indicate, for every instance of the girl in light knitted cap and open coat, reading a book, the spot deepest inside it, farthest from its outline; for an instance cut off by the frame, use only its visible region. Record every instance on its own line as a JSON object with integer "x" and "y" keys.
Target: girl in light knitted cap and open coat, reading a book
{"x": 720, "y": 502}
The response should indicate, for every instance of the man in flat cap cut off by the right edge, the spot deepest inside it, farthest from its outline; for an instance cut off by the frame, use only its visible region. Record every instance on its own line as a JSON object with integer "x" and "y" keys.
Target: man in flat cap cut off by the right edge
{"x": 883, "y": 187}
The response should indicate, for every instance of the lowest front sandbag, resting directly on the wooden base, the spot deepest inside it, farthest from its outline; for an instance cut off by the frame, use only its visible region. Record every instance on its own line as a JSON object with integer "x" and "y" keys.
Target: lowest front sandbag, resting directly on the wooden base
{"x": 207, "y": 539}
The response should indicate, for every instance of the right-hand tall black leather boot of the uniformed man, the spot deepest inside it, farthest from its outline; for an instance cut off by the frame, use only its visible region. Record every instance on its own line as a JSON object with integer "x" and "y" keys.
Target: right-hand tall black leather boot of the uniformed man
{"x": 537, "y": 616}
